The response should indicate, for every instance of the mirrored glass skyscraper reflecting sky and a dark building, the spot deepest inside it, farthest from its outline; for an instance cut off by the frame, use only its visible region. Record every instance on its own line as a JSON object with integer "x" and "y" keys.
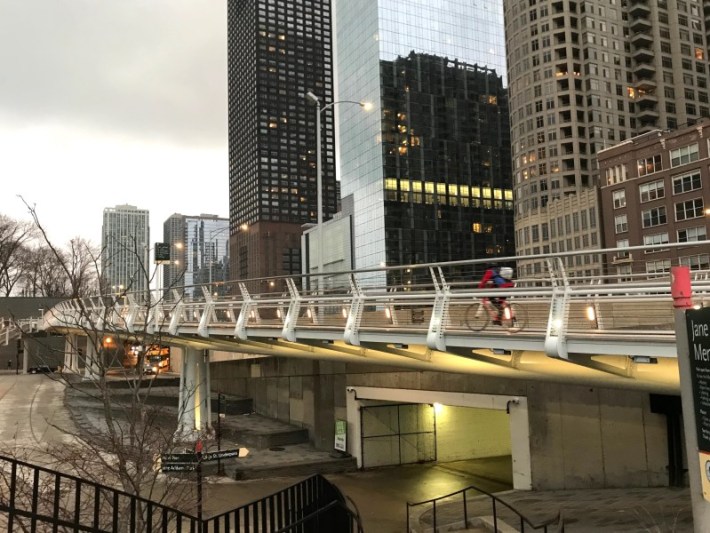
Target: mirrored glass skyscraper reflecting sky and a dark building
{"x": 429, "y": 167}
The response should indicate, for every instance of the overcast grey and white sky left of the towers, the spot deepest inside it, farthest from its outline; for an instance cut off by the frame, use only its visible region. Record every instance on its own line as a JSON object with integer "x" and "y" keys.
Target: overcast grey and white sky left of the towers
{"x": 107, "y": 102}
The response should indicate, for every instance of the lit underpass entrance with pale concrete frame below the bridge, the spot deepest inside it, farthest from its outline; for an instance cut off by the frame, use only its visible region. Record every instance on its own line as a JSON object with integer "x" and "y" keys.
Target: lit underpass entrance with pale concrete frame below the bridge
{"x": 388, "y": 427}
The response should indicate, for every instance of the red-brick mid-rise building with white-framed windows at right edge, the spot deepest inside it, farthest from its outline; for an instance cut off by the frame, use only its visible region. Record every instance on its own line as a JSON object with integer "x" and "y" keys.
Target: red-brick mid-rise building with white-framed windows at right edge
{"x": 655, "y": 192}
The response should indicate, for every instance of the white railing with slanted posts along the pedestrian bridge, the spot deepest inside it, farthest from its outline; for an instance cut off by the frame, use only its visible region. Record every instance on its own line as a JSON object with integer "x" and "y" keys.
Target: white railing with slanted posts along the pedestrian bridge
{"x": 424, "y": 304}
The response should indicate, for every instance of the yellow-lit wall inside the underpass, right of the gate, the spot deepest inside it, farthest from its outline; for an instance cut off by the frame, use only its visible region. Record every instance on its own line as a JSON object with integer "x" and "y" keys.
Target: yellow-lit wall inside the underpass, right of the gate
{"x": 468, "y": 433}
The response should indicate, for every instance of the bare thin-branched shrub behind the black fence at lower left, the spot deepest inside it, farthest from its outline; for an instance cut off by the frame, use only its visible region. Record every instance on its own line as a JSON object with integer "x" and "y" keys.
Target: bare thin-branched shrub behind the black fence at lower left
{"x": 121, "y": 449}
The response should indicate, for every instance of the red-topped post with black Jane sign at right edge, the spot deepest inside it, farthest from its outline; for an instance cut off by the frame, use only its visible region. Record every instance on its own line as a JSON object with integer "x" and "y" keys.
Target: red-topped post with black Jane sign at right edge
{"x": 692, "y": 327}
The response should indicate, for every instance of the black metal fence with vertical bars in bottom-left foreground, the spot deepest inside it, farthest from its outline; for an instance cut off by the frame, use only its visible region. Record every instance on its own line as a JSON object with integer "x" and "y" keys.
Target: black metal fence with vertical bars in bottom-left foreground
{"x": 34, "y": 498}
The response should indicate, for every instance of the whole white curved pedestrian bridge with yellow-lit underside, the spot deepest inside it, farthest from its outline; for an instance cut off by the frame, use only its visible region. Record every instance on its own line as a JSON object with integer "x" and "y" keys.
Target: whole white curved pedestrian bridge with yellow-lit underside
{"x": 584, "y": 329}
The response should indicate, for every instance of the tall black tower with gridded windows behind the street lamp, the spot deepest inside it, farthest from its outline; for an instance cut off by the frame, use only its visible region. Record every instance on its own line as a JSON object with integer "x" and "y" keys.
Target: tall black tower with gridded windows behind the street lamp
{"x": 278, "y": 50}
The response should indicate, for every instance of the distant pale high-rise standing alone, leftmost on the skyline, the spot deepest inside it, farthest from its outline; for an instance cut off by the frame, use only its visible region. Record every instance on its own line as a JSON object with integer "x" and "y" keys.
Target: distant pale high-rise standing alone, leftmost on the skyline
{"x": 125, "y": 250}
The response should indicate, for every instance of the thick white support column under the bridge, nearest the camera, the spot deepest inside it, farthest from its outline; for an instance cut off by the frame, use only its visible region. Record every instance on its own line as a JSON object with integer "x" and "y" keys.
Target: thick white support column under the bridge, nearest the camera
{"x": 194, "y": 405}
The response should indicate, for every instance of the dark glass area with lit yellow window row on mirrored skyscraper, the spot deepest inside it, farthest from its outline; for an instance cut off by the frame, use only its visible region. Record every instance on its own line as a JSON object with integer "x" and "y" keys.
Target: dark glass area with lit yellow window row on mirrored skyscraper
{"x": 446, "y": 149}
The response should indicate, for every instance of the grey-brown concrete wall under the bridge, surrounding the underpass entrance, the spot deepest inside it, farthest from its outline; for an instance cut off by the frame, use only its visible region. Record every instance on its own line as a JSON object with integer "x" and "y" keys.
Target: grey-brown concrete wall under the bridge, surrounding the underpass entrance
{"x": 580, "y": 436}
